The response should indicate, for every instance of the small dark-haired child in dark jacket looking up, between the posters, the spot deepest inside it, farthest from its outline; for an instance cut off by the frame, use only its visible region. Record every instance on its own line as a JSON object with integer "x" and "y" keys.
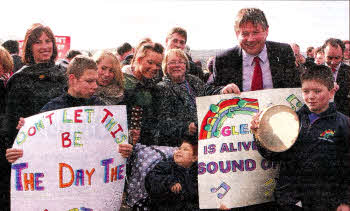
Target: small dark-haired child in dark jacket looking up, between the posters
{"x": 173, "y": 183}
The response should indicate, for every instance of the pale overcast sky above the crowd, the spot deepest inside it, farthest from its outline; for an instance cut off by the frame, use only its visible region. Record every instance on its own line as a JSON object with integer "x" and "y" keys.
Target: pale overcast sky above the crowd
{"x": 98, "y": 24}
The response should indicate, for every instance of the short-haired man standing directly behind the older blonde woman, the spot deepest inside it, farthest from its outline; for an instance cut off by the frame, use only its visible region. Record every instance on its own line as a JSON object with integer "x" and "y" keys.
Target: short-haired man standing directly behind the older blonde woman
{"x": 177, "y": 39}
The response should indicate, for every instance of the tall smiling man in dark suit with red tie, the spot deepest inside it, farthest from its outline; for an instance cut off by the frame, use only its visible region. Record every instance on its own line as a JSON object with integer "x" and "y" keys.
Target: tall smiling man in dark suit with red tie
{"x": 237, "y": 65}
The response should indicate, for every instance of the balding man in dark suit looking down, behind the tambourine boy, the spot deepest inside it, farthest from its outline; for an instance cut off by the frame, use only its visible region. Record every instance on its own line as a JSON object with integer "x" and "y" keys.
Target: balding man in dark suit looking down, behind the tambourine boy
{"x": 334, "y": 51}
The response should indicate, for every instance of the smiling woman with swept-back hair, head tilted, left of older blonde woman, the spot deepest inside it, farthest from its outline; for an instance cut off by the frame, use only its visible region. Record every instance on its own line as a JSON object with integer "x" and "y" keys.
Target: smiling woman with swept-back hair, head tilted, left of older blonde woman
{"x": 140, "y": 91}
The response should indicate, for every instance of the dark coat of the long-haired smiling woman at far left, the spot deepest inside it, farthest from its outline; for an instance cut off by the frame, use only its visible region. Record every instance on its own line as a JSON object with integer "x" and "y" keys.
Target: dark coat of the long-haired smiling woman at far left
{"x": 29, "y": 89}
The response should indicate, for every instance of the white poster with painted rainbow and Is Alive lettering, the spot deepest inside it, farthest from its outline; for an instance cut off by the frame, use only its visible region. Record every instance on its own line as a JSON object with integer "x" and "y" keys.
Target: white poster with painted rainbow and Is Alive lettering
{"x": 231, "y": 170}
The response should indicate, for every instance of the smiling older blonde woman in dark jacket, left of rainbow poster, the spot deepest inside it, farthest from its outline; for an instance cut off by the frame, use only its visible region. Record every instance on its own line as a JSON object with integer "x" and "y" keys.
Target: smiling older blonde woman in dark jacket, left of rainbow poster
{"x": 178, "y": 92}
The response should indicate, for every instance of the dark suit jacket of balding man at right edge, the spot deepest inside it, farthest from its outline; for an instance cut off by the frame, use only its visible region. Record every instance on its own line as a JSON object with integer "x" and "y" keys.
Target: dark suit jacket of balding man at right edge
{"x": 342, "y": 97}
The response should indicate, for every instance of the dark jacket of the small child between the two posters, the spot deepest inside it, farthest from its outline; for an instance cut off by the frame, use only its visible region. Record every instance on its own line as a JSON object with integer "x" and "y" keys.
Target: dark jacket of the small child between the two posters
{"x": 159, "y": 181}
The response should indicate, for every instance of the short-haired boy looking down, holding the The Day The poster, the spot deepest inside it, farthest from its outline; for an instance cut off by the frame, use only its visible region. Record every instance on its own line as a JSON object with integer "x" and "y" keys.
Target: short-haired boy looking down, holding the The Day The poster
{"x": 82, "y": 84}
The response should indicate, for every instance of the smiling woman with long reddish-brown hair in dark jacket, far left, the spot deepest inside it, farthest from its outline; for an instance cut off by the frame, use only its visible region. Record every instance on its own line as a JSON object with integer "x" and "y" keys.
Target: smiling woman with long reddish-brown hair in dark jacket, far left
{"x": 39, "y": 81}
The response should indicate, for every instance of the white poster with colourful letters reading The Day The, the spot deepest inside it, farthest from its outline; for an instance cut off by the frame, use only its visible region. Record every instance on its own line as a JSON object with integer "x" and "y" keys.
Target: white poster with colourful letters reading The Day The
{"x": 70, "y": 160}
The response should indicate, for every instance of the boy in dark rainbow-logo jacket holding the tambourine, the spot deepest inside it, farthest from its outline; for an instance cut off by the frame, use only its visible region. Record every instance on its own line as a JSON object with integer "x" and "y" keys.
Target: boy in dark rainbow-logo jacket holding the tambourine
{"x": 315, "y": 170}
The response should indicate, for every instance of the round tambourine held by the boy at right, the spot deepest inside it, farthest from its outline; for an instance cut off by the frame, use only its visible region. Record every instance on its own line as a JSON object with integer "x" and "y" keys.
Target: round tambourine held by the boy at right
{"x": 278, "y": 128}
